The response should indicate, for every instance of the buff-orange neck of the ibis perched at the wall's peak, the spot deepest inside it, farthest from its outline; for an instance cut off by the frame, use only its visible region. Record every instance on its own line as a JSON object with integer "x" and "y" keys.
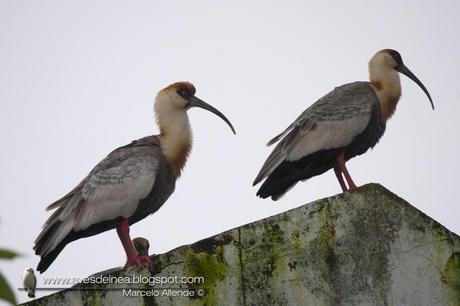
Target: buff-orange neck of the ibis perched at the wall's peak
{"x": 387, "y": 86}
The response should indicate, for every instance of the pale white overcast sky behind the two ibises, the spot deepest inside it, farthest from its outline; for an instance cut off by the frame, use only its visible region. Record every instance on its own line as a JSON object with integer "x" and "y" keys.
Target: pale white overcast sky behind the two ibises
{"x": 78, "y": 80}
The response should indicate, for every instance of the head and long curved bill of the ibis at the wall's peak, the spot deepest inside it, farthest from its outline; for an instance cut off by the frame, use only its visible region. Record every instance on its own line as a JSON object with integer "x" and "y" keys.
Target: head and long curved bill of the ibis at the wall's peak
{"x": 387, "y": 62}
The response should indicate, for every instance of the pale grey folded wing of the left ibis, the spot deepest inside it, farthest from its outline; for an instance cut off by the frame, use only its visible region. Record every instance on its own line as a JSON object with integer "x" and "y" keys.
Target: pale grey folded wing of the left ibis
{"x": 112, "y": 189}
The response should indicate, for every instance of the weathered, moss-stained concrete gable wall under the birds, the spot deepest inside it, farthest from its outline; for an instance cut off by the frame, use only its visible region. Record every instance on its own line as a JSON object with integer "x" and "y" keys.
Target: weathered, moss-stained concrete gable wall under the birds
{"x": 365, "y": 247}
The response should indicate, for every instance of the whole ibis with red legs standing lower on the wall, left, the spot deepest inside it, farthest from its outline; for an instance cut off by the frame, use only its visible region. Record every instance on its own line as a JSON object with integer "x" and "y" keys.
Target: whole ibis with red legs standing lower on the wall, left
{"x": 132, "y": 182}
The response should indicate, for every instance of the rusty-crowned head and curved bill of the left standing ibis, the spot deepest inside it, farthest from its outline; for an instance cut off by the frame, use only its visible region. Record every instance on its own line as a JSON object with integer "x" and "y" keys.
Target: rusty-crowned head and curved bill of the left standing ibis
{"x": 180, "y": 97}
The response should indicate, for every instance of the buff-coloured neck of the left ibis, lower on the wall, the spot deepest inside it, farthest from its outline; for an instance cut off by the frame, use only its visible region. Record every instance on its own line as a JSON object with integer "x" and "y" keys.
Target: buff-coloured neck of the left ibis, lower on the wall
{"x": 175, "y": 135}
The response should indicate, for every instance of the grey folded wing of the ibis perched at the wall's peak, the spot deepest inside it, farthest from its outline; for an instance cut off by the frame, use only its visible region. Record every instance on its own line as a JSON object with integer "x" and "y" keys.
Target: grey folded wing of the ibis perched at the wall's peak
{"x": 331, "y": 122}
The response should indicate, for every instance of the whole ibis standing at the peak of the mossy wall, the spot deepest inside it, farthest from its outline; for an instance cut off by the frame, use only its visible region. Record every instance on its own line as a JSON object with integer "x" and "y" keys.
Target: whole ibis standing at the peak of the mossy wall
{"x": 341, "y": 125}
